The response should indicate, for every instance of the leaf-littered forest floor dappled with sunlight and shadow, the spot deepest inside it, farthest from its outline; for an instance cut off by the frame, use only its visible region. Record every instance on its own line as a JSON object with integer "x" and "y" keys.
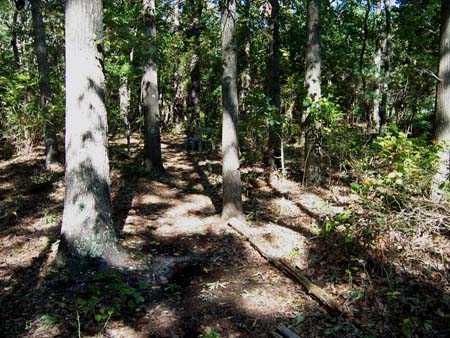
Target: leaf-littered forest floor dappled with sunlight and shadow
{"x": 389, "y": 282}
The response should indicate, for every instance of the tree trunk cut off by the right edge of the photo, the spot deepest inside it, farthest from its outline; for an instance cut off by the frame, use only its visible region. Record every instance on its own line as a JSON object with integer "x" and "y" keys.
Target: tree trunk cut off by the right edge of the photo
{"x": 441, "y": 131}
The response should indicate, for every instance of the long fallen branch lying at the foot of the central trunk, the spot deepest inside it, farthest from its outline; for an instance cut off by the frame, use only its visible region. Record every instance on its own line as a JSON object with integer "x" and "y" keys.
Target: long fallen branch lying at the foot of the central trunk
{"x": 288, "y": 268}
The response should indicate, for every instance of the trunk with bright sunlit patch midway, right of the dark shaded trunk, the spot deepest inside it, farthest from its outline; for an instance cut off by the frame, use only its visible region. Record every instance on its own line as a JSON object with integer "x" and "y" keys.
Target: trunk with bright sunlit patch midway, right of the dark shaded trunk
{"x": 313, "y": 135}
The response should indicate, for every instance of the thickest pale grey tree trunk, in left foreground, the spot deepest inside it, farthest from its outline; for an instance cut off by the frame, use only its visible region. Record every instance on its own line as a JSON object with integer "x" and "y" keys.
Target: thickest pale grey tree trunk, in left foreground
{"x": 87, "y": 232}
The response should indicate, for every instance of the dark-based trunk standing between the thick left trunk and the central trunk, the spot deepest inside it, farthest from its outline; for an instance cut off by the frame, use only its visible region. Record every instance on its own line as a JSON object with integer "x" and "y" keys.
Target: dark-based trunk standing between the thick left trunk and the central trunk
{"x": 150, "y": 98}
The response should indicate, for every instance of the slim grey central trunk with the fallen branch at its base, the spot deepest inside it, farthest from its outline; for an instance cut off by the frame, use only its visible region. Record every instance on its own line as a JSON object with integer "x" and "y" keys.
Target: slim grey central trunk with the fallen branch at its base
{"x": 232, "y": 198}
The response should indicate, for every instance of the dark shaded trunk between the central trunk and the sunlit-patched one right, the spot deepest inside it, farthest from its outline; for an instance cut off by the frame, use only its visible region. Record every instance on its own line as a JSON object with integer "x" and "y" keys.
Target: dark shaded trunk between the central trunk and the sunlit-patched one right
{"x": 274, "y": 154}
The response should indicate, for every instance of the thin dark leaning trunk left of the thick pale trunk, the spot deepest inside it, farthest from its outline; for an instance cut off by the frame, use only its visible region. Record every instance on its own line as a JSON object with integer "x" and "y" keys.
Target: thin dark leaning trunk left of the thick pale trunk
{"x": 51, "y": 149}
